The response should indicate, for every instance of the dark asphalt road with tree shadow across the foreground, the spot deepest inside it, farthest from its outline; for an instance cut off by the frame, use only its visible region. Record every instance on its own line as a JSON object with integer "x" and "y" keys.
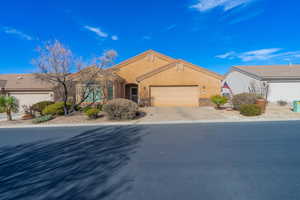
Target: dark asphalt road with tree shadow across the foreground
{"x": 242, "y": 161}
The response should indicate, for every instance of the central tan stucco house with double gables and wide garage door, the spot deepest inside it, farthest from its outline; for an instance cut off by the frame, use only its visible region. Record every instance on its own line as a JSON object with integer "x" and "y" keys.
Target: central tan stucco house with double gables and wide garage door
{"x": 164, "y": 81}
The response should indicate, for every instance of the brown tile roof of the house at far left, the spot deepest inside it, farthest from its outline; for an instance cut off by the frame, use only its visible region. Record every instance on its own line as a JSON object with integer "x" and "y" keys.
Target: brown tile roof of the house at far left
{"x": 22, "y": 82}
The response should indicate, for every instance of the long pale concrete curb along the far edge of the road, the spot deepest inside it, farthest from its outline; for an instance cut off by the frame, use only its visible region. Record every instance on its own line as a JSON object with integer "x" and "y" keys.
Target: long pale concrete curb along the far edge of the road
{"x": 147, "y": 123}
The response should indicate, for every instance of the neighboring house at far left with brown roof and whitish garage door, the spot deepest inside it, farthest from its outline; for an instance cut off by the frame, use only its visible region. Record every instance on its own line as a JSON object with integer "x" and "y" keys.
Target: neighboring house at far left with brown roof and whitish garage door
{"x": 26, "y": 88}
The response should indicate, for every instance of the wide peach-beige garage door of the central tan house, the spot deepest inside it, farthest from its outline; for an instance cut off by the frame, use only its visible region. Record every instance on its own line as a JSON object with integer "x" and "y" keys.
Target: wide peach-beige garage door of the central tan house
{"x": 175, "y": 96}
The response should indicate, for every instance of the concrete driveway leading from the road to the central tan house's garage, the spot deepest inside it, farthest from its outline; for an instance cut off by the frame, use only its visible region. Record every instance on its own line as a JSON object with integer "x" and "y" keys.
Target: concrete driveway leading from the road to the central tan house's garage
{"x": 158, "y": 114}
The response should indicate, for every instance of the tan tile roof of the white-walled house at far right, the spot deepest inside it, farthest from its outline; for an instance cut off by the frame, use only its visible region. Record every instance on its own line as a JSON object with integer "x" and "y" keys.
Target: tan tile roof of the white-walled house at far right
{"x": 272, "y": 71}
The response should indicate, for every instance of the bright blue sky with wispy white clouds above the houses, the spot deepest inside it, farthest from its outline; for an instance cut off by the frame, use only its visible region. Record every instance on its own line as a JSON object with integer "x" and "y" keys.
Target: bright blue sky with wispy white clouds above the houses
{"x": 215, "y": 34}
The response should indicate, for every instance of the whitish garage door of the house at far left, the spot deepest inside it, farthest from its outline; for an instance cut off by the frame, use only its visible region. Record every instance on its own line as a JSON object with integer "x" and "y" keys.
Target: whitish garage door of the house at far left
{"x": 31, "y": 98}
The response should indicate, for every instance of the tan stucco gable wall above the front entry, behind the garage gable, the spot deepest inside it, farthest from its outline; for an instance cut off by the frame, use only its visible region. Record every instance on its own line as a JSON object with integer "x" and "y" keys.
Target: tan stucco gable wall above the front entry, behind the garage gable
{"x": 141, "y": 66}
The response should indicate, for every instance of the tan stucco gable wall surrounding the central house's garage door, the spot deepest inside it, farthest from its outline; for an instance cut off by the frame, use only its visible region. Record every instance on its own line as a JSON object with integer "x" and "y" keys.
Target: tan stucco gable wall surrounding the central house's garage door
{"x": 208, "y": 85}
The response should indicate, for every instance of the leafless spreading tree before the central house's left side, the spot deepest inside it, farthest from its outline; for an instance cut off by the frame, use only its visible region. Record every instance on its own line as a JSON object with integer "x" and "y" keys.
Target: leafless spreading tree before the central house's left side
{"x": 58, "y": 66}
